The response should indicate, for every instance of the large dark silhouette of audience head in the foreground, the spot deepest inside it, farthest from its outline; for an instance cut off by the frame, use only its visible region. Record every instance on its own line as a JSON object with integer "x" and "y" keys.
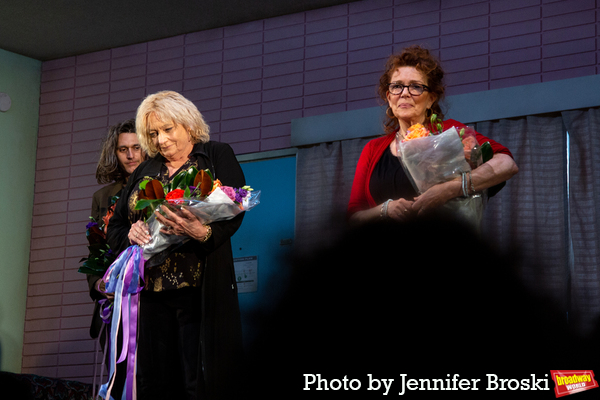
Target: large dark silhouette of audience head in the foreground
{"x": 426, "y": 298}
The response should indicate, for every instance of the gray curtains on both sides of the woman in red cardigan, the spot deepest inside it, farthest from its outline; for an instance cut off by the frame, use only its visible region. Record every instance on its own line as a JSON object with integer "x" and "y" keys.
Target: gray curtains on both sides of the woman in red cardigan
{"x": 554, "y": 238}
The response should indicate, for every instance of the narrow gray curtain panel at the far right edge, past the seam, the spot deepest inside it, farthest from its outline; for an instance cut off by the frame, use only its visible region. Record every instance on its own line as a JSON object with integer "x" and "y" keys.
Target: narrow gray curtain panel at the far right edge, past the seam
{"x": 584, "y": 139}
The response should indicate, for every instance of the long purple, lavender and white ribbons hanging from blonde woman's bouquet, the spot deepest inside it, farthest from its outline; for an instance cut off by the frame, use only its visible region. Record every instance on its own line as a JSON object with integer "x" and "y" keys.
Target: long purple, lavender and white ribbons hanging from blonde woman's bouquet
{"x": 123, "y": 279}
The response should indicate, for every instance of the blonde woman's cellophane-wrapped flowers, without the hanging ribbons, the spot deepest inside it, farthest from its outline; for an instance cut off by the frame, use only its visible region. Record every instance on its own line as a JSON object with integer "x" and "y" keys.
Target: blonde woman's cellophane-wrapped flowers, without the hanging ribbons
{"x": 197, "y": 192}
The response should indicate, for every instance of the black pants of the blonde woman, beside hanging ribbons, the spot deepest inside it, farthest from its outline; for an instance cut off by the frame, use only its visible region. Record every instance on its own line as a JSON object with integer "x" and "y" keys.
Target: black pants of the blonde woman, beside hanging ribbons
{"x": 168, "y": 344}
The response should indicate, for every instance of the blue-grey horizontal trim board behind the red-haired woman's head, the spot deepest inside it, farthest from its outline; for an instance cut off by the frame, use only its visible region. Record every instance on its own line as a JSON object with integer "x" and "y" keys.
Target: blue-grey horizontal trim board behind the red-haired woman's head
{"x": 509, "y": 102}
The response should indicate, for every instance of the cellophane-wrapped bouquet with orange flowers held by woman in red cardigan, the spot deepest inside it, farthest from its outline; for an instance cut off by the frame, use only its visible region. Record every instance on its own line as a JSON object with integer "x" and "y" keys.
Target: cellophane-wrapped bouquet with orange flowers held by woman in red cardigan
{"x": 430, "y": 158}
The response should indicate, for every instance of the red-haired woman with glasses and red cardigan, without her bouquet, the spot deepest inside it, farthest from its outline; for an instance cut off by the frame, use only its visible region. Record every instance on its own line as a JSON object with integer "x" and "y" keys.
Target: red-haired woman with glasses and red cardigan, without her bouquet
{"x": 412, "y": 85}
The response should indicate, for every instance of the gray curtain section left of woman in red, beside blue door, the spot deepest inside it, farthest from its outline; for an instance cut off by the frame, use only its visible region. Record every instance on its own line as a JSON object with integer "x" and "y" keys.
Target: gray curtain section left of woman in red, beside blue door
{"x": 323, "y": 184}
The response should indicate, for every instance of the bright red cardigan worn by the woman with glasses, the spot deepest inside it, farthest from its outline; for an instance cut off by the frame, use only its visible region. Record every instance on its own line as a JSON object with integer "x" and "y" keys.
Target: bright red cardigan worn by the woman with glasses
{"x": 360, "y": 196}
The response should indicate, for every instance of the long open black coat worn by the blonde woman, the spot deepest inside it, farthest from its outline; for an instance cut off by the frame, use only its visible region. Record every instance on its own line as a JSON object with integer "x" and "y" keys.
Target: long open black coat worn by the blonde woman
{"x": 221, "y": 333}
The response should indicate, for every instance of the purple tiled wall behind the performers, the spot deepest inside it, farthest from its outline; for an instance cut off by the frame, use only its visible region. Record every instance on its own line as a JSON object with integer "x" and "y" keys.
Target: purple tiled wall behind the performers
{"x": 250, "y": 81}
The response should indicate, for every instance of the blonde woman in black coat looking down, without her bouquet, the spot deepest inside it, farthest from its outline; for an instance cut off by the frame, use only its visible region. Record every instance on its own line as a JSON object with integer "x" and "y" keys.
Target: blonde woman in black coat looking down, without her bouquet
{"x": 189, "y": 323}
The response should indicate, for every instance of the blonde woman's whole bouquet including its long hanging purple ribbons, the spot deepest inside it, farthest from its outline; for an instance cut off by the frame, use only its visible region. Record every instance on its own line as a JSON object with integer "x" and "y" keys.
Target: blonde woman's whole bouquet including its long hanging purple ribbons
{"x": 196, "y": 191}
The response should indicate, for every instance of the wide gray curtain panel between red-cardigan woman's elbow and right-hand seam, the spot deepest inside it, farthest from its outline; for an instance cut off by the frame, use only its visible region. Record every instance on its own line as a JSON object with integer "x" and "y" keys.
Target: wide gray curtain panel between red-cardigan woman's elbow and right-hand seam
{"x": 527, "y": 217}
